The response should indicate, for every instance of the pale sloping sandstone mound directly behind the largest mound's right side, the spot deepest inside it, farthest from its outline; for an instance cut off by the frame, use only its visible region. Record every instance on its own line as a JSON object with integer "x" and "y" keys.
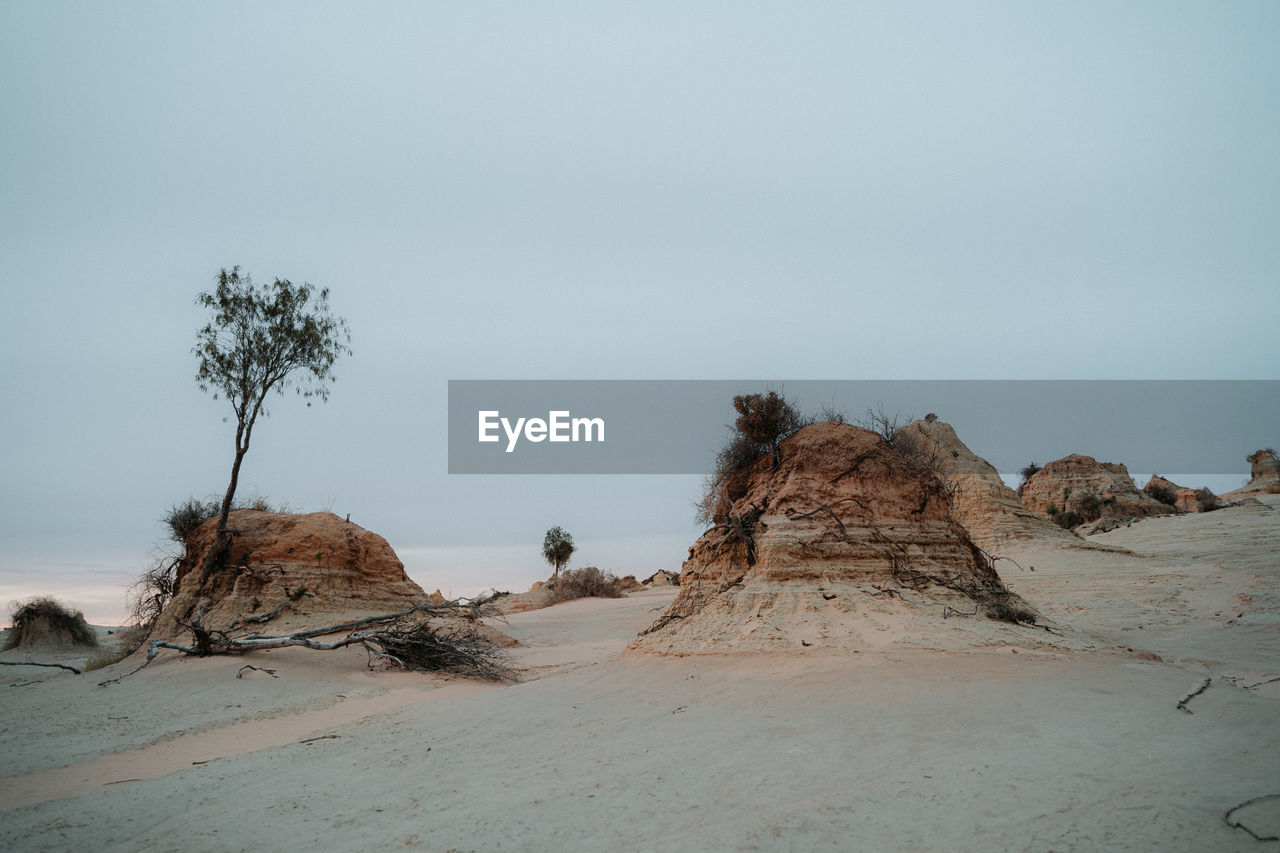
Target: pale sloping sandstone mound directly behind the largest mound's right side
{"x": 980, "y": 500}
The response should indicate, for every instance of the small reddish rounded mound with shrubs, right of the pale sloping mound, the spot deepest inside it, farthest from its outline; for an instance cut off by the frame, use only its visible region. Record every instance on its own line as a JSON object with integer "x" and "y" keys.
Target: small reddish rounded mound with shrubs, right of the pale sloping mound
{"x": 1096, "y": 492}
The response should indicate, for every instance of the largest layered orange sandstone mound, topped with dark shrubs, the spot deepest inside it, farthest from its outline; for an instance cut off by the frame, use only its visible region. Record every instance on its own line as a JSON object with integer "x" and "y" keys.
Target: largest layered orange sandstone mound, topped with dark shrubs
{"x": 842, "y": 546}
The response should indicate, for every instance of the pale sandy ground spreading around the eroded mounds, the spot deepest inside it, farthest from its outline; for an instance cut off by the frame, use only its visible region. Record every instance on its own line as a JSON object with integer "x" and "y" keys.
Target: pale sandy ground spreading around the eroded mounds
{"x": 1039, "y": 742}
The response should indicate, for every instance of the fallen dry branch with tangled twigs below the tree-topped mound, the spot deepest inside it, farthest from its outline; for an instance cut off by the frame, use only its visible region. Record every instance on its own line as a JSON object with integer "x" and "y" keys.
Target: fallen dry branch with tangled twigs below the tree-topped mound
{"x": 408, "y": 640}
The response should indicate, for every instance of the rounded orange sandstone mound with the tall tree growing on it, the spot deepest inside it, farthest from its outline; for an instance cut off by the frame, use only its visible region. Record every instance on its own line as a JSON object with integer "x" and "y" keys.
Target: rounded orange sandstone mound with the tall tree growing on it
{"x": 316, "y": 569}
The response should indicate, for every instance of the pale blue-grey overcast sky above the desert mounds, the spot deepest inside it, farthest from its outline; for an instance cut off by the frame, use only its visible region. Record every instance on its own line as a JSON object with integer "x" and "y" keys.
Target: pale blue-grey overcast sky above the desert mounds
{"x": 545, "y": 190}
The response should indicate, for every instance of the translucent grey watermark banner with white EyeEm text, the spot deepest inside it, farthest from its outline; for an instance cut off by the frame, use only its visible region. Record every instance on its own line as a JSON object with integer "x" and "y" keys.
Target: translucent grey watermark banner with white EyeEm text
{"x": 675, "y": 427}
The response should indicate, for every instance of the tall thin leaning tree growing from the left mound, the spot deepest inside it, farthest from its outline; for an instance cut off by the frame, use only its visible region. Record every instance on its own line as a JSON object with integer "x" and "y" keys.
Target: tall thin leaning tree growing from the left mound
{"x": 262, "y": 340}
